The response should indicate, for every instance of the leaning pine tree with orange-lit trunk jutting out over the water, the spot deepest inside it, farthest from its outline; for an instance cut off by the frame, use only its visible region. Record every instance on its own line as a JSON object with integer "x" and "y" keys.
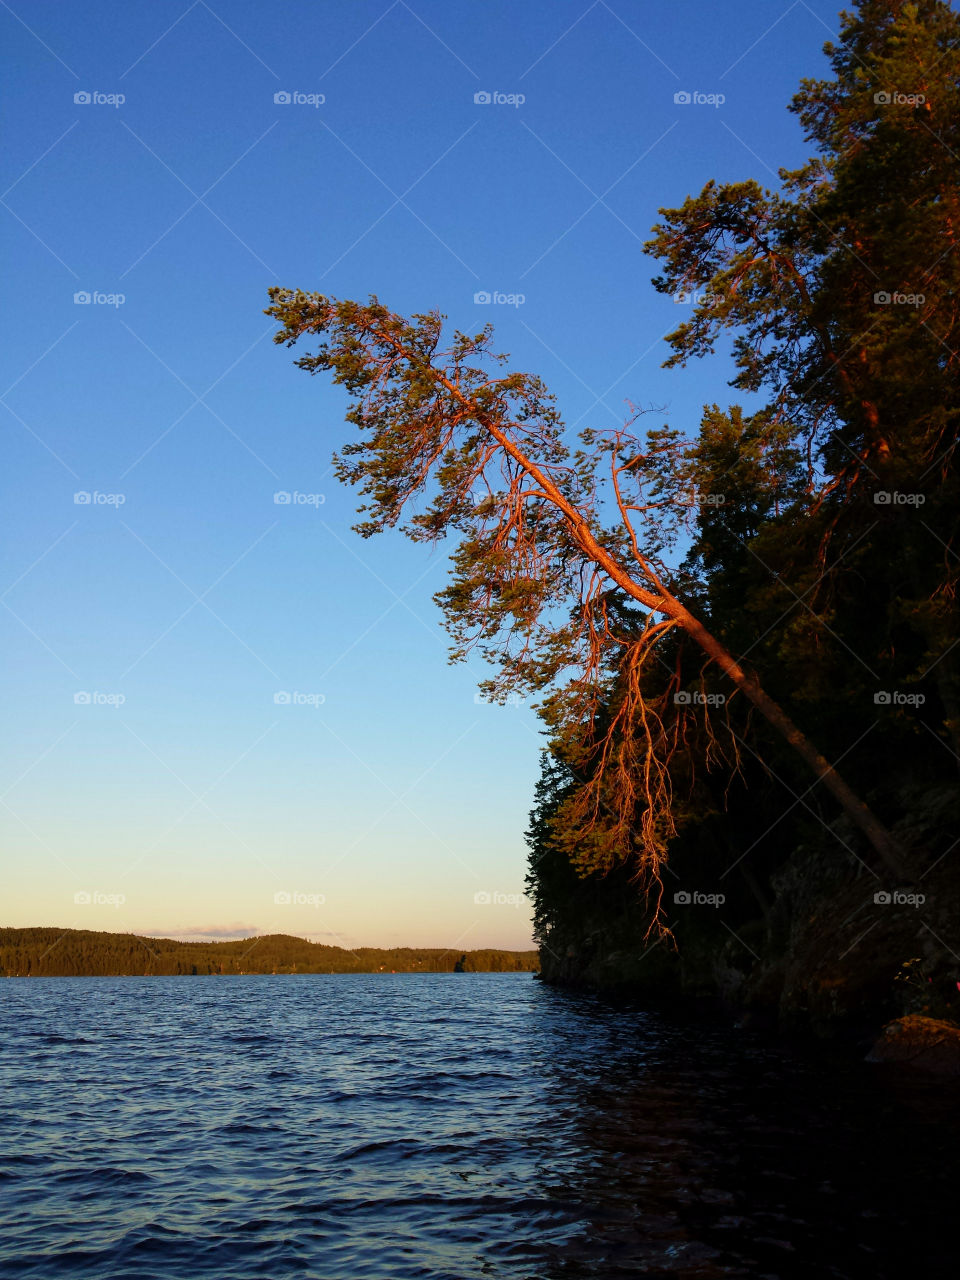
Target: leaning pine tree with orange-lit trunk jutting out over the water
{"x": 548, "y": 540}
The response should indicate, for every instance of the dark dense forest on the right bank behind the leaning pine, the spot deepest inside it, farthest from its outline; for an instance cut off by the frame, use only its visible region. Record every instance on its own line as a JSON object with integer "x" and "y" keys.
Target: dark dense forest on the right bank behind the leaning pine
{"x": 822, "y": 550}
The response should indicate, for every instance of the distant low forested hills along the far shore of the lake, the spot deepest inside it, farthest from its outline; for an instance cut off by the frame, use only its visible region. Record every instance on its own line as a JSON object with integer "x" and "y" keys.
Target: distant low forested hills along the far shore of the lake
{"x": 81, "y": 953}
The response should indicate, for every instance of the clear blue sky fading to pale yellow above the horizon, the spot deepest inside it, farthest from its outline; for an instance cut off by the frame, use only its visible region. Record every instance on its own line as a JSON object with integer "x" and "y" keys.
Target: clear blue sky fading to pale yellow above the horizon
{"x": 148, "y": 633}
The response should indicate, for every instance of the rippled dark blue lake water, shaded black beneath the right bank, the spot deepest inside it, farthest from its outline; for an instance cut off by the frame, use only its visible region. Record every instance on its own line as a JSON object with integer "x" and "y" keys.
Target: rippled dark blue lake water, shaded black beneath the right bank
{"x": 445, "y": 1126}
